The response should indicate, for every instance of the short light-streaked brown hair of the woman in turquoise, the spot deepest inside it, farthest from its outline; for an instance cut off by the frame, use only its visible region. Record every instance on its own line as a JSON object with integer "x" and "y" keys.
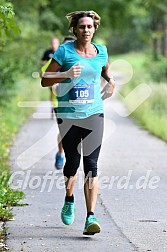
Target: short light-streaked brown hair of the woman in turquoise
{"x": 73, "y": 18}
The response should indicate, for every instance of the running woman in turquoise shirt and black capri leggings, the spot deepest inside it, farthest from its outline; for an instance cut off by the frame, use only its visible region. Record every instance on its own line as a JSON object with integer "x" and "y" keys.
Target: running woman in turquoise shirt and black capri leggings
{"x": 78, "y": 66}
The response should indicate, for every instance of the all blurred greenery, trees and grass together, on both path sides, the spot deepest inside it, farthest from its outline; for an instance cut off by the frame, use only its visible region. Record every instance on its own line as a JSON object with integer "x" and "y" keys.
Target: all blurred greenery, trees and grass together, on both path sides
{"x": 133, "y": 30}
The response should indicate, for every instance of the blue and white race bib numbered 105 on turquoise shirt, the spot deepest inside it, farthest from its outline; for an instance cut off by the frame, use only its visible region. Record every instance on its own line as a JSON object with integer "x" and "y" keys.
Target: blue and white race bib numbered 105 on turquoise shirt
{"x": 82, "y": 94}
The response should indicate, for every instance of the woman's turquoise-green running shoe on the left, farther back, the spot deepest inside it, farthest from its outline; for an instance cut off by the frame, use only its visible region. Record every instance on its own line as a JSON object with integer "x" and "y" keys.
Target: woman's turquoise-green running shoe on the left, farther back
{"x": 67, "y": 213}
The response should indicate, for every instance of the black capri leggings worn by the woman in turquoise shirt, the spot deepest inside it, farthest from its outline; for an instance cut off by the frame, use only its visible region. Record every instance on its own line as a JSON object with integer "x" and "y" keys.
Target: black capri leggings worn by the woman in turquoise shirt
{"x": 81, "y": 134}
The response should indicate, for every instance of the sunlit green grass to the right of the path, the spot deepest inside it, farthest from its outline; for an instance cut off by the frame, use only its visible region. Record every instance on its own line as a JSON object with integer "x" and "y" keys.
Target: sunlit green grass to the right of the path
{"x": 152, "y": 114}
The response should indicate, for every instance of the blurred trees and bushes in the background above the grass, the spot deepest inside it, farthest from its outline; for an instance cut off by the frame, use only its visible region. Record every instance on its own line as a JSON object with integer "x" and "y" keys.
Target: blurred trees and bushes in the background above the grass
{"x": 27, "y": 26}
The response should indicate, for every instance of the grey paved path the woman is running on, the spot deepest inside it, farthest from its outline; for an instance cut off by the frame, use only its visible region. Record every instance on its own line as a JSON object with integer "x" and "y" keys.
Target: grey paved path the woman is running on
{"x": 132, "y": 200}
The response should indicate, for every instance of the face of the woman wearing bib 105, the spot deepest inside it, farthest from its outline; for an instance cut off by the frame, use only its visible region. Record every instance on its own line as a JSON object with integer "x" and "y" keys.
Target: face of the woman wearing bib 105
{"x": 85, "y": 29}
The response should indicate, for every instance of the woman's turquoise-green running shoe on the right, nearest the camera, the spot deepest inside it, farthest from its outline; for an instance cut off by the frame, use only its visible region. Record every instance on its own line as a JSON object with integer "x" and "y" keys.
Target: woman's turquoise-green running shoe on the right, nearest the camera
{"x": 91, "y": 226}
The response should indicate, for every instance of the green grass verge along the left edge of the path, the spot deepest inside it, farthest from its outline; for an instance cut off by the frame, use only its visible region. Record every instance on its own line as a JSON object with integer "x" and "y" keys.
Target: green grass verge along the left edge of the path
{"x": 11, "y": 118}
